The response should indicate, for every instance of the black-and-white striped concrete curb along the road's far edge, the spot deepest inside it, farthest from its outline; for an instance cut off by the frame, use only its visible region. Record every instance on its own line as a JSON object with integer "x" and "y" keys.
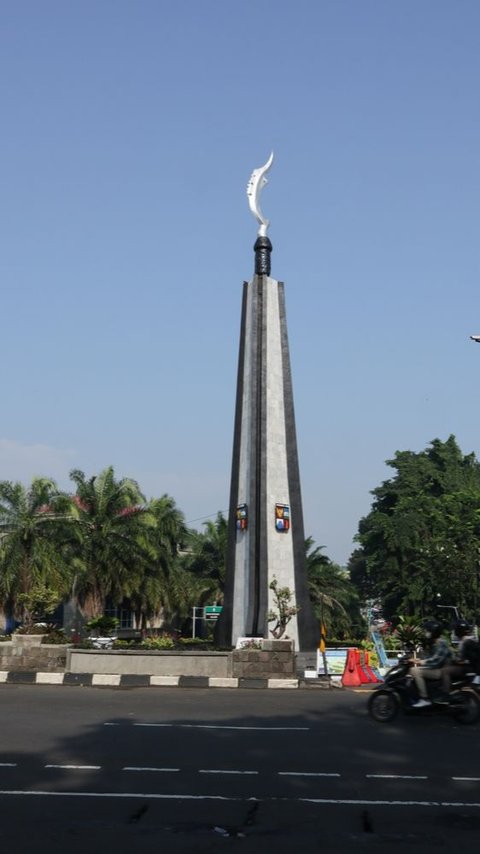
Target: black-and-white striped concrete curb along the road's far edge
{"x": 115, "y": 680}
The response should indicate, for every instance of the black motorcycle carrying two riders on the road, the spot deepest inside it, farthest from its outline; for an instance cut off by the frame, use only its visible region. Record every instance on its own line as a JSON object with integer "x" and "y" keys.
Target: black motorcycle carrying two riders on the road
{"x": 398, "y": 692}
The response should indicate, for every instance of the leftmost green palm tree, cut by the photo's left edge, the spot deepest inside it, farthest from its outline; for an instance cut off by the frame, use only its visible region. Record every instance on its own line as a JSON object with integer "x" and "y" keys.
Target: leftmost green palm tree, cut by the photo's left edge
{"x": 32, "y": 543}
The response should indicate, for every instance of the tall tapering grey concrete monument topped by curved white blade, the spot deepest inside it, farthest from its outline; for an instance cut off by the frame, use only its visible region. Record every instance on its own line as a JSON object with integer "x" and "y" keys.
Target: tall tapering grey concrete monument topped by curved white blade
{"x": 266, "y": 537}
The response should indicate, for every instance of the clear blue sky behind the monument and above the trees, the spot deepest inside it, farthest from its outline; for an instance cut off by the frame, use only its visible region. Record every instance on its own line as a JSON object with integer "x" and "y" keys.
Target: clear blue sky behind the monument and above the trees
{"x": 129, "y": 129}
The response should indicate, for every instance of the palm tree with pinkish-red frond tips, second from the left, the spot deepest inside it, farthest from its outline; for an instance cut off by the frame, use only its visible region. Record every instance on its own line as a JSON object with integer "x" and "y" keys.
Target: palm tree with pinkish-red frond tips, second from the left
{"x": 111, "y": 523}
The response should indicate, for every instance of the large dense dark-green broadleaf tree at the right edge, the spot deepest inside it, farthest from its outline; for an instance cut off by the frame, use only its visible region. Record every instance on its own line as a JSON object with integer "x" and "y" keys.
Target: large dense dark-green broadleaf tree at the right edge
{"x": 419, "y": 545}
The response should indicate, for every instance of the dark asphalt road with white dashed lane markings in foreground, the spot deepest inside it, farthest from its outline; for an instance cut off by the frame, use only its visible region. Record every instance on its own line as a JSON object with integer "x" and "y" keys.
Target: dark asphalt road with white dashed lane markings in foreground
{"x": 194, "y": 770}
